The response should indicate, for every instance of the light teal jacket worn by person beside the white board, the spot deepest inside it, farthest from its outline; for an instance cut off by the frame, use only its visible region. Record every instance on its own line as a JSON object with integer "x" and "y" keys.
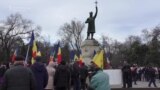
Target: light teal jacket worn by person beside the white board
{"x": 100, "y": 81}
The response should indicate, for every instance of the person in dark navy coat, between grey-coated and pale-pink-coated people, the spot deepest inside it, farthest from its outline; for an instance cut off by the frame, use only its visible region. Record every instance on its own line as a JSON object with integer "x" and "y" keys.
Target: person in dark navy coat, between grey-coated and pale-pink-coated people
{"x": 40, "y": 74}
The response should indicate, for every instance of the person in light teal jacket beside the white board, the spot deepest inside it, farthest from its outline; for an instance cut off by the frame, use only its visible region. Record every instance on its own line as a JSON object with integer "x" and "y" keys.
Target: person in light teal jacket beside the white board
{"x": 100, "y": 80}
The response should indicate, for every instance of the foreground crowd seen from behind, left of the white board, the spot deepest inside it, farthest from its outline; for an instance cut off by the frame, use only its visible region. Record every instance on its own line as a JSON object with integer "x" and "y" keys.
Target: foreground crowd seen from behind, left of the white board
{"x": 64, "y": 76}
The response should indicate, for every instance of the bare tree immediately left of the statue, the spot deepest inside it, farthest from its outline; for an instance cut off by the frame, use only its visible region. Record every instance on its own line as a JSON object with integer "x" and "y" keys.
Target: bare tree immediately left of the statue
{"x": 72, "y": 33}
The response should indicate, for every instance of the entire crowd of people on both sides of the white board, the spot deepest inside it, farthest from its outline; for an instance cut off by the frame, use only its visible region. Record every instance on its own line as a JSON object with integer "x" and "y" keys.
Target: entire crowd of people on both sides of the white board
{"x": 67, "y": 76}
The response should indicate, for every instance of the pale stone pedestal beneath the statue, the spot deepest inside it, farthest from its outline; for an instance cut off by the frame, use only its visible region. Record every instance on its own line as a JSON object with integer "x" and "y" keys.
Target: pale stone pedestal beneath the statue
{"x": 88, "y": 46}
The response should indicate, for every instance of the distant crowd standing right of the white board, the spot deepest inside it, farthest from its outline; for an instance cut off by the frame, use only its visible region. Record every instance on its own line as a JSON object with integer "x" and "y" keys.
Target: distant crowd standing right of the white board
{"x": 132, "y": 74}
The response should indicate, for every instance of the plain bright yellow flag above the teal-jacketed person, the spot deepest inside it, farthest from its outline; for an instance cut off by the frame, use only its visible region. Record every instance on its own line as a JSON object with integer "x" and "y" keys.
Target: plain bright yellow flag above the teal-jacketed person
{"x": 99, "y": 59}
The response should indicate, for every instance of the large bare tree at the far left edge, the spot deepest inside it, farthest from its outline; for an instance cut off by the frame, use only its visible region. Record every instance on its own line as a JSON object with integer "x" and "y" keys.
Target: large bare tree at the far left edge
{"x": 12, "y": 32}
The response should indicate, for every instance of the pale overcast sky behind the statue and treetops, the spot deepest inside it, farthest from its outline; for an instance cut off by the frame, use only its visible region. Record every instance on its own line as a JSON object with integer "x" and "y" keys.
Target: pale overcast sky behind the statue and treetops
{"x": 116, "y": 18}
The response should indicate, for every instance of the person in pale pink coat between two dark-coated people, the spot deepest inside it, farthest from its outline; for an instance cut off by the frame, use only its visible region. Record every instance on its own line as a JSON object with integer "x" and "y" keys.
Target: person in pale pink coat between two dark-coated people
{"x": 51, "y": 73}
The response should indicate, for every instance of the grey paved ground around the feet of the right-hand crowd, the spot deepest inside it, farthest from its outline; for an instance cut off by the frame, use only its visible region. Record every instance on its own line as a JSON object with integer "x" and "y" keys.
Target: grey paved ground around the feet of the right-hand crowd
{"x": 140, "y": 84}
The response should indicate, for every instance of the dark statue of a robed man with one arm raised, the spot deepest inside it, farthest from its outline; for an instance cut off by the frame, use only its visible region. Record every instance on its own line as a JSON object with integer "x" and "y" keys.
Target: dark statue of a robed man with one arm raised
{"x": 91, "y": 24}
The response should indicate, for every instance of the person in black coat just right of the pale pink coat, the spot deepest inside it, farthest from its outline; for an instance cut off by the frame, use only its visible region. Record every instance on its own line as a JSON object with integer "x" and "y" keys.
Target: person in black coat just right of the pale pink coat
{"x": 62, "y": 77}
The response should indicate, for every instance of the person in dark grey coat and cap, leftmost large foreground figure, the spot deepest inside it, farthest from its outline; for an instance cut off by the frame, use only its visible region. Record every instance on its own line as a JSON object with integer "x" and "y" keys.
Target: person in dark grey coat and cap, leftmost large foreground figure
{"x": 18, "y": 77}
